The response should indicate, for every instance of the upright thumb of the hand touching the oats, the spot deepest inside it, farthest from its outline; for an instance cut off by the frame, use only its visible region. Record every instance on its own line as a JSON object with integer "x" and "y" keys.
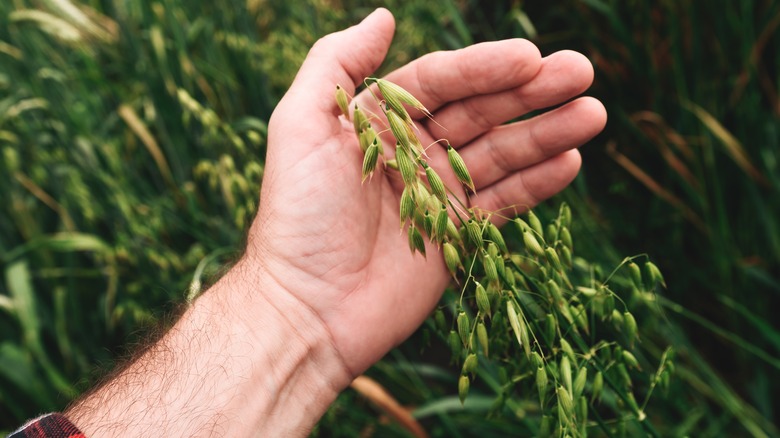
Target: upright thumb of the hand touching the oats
{"x": 342, "y": 58}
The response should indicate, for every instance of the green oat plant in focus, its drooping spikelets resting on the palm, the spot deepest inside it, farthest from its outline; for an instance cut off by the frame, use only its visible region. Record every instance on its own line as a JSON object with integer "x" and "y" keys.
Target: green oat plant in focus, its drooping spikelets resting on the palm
{"x": 553, "y": 325}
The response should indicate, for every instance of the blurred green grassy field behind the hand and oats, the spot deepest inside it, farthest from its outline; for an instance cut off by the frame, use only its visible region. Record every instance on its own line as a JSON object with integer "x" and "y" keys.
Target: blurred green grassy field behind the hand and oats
{"x": 132, "y": 140}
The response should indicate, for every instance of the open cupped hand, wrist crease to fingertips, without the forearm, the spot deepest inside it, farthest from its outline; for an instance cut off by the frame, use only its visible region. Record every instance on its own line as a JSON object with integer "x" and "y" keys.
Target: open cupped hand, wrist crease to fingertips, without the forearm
{"x": 335, "y": 244}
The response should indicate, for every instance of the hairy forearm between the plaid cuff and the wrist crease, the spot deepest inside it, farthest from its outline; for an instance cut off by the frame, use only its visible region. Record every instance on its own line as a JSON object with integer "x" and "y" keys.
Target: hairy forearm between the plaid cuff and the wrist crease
{"x": 245, "y": 359}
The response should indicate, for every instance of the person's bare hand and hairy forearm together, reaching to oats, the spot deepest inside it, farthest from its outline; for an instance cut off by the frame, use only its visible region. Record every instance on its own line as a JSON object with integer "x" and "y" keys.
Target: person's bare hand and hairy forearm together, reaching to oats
{"x": 327, "y": 285}
